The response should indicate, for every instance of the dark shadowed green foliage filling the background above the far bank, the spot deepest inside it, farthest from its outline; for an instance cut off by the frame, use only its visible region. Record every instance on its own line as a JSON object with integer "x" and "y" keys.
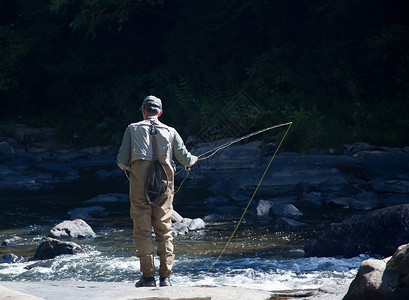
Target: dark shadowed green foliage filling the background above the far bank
{"x": 338, "y": 70}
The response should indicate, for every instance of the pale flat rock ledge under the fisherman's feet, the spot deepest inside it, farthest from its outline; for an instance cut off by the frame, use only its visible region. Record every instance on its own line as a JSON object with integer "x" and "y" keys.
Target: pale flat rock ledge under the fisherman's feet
{"x": 77, "y": 290}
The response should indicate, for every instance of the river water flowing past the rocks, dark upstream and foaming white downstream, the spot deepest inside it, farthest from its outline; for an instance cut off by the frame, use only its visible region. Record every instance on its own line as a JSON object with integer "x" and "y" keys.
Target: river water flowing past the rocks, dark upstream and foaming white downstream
{"x": 258, "y": 256}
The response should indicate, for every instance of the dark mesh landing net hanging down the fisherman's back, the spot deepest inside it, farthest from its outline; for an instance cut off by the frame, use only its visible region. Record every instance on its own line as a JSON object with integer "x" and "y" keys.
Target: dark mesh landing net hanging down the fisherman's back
{"x": 156, "y": 178}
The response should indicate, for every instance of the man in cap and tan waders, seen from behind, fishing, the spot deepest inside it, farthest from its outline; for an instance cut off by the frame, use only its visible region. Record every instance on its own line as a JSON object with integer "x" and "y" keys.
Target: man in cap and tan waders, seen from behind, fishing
{"x": 151, "y": 192}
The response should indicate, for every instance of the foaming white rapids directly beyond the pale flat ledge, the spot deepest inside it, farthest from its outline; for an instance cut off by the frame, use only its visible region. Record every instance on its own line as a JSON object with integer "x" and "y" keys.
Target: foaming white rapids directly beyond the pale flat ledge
{"x": 249, "y": 272}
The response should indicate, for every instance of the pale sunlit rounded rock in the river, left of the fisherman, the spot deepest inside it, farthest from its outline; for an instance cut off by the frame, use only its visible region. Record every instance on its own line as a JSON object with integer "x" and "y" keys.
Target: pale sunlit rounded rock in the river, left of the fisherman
{"x": 72, "y": 229}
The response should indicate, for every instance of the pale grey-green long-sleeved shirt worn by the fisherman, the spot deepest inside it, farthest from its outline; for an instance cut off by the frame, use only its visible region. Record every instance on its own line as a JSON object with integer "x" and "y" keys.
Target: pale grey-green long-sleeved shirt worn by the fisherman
{"x": 137, "y": 144}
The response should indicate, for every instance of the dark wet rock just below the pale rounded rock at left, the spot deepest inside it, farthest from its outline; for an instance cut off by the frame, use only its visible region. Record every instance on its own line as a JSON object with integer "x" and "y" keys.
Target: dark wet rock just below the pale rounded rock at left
{"x": 50, "y": 248}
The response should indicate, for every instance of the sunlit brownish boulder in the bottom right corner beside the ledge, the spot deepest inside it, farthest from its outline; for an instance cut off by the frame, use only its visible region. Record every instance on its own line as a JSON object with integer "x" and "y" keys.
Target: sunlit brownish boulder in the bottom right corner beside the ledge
{"x": 382, "y": 279}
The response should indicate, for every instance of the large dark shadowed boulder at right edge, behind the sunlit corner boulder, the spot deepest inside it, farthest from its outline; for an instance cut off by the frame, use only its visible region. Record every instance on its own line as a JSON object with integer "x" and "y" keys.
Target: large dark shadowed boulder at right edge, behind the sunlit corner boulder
{"x": 378, "y": 233}
